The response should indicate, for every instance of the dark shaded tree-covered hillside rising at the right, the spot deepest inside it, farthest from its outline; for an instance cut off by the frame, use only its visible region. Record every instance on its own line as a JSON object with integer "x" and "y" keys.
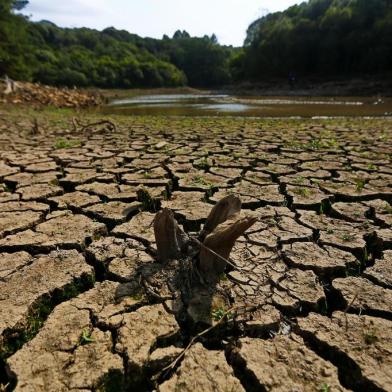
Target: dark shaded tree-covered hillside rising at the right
{"x": 325, "y": 38}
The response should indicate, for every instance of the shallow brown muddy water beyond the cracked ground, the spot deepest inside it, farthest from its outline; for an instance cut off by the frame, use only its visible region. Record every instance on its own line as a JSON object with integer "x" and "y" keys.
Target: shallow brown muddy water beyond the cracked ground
{"x": 226, "y": 105}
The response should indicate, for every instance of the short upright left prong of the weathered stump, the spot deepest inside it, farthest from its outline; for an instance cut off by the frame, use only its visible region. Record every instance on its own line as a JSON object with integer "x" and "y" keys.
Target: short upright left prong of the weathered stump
{"x": 168, "y": 235}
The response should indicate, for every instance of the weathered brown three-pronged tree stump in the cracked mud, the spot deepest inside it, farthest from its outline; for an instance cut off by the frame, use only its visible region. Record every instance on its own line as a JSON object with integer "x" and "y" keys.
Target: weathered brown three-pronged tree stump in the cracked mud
{"x": 193, "y": 266}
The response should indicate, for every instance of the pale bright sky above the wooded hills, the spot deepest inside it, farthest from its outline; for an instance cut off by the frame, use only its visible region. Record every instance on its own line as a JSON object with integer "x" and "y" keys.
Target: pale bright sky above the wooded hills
{"x": 228, "y": 19}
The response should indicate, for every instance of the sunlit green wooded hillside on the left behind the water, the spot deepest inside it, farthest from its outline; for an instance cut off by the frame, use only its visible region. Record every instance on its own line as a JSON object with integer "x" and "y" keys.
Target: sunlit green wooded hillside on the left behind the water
{"x": 111, "y": 58}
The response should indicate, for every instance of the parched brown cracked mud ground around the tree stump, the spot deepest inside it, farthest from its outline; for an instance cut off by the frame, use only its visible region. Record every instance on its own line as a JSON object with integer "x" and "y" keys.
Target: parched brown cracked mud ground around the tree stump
{"x": 318, "y": 263}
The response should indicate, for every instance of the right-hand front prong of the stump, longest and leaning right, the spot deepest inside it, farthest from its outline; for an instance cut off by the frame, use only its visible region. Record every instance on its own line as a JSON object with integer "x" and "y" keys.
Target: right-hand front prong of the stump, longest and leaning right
{"x": 218, "y": 245}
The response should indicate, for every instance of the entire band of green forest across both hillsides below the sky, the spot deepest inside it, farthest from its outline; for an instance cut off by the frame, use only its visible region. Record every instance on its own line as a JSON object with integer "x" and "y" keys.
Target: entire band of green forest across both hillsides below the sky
{"x": 325, "y": 38}
